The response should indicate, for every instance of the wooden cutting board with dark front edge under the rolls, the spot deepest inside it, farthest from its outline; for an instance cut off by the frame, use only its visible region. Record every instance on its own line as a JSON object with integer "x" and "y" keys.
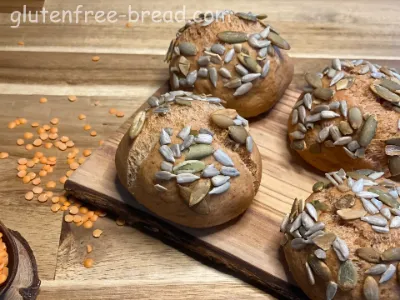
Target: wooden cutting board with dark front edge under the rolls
{"x": 248, "y": 245}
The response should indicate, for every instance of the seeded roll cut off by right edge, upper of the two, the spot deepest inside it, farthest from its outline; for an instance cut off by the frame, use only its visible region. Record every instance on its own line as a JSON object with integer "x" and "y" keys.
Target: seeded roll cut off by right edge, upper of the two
{"x": 349, "y": 119}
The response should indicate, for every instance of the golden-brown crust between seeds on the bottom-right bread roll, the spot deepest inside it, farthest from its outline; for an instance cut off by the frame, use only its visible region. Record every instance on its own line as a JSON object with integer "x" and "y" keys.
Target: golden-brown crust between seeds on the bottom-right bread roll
{"x": 356, "y": 234}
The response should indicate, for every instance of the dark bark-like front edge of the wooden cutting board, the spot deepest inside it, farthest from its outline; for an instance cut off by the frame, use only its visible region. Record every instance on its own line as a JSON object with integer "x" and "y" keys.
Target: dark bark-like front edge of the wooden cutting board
{"x": 166, "y": 232}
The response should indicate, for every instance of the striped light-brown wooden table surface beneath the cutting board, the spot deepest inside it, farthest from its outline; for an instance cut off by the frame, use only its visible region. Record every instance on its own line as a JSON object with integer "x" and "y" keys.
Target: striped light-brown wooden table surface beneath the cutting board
{"x": 55, "y": 61}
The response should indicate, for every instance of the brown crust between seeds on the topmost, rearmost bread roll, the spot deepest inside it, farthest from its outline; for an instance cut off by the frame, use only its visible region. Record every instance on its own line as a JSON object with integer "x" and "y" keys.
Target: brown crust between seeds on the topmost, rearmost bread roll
{"x": 265, "y": 91}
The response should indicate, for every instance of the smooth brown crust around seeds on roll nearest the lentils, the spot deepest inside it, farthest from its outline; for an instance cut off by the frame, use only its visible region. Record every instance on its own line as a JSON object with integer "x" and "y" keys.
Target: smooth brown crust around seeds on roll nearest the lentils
{"x": 138, "y": 161}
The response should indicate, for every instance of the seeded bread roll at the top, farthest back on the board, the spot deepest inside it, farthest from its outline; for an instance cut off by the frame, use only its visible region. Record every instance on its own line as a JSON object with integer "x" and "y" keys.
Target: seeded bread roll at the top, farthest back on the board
{"x": 236, "y": 57}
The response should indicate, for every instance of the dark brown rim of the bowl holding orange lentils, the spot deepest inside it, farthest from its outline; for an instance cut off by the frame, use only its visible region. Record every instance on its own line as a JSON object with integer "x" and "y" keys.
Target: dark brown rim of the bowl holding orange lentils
{"x": 12, "y": 258}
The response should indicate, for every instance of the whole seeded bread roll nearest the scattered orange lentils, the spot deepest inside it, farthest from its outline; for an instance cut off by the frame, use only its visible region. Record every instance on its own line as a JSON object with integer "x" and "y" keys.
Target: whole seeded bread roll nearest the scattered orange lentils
{"x": 189, "y": 160}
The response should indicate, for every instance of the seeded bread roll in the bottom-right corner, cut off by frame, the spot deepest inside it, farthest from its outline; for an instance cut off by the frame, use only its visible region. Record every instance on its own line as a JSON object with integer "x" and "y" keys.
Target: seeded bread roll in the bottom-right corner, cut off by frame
{"x": 344, "y": 243}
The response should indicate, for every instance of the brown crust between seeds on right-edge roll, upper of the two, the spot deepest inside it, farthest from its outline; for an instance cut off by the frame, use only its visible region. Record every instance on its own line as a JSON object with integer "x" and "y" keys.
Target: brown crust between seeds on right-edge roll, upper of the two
{"x": 328, "y": 159}
